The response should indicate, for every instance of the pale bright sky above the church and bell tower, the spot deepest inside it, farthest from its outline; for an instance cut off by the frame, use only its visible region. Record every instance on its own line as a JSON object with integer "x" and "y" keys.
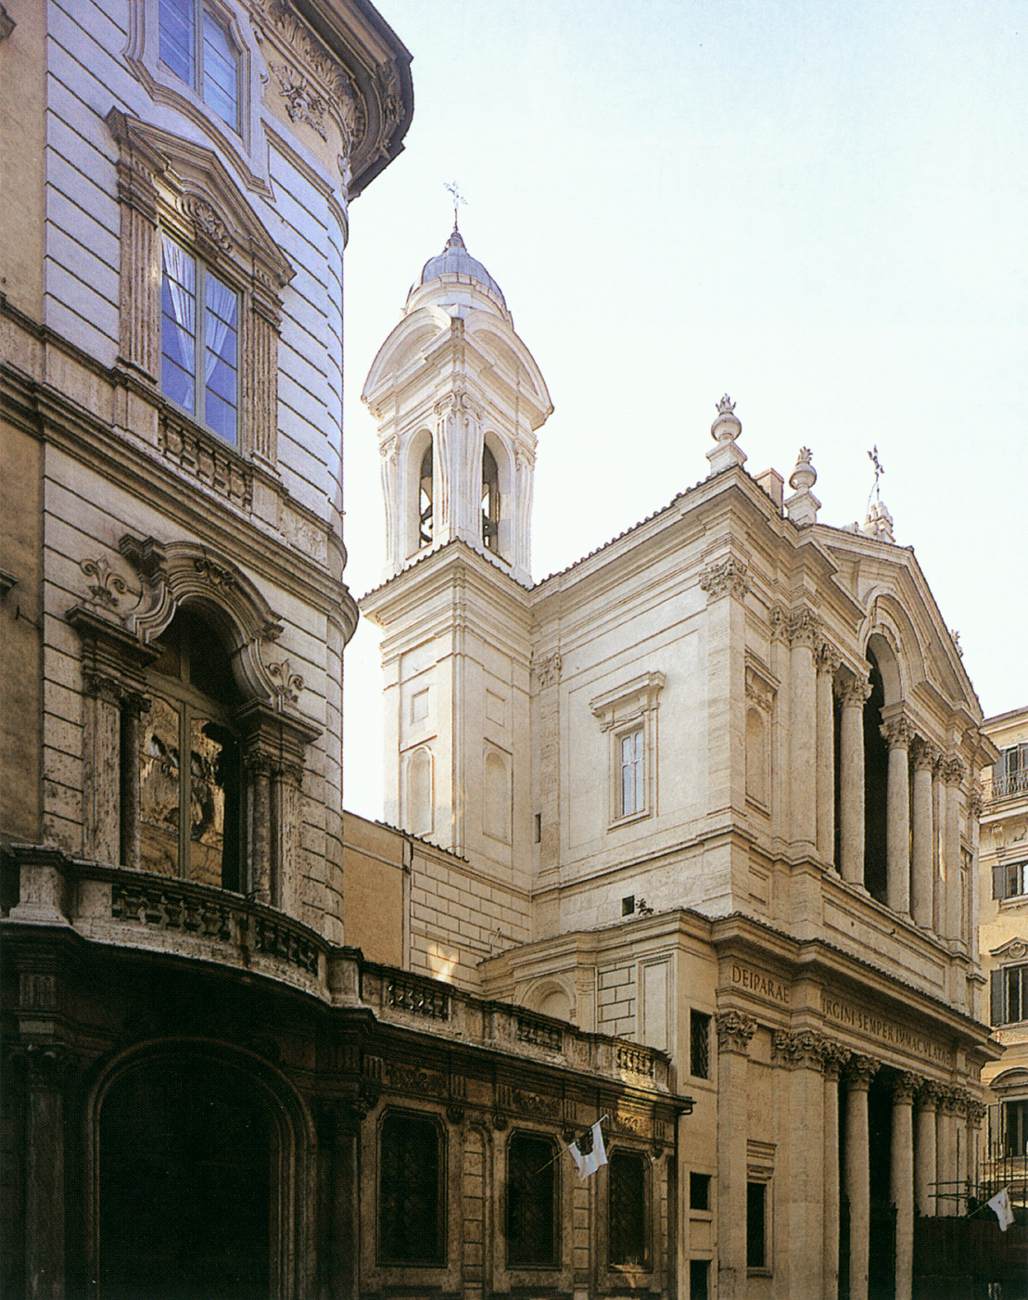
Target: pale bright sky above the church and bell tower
{"x": 821, "y": 209}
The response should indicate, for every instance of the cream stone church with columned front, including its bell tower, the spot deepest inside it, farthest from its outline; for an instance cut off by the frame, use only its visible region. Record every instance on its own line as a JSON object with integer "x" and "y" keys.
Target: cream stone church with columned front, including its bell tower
{"x": 712, "y": 790}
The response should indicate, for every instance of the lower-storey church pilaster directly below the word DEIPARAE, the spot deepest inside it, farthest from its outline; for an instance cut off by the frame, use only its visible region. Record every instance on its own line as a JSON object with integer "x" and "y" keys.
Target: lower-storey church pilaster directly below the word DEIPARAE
{"x": 735, "y": 1032}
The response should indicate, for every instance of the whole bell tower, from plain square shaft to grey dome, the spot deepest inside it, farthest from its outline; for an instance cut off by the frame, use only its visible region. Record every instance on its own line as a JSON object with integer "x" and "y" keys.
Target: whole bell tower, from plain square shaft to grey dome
{"x": 458, "y": 400}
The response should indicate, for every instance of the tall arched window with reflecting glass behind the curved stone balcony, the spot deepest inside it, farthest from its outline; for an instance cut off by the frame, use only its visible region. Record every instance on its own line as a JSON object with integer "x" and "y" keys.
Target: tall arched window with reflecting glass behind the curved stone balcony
{"x": 190, "y": 770}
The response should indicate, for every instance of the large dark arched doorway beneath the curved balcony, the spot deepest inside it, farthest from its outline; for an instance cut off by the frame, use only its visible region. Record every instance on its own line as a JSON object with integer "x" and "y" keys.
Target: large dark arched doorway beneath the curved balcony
{"x": 186, "y": 1193}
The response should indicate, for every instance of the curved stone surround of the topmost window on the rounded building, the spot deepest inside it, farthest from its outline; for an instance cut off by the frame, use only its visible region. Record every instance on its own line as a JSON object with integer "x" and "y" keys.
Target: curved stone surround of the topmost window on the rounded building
{"x": 246, "y": 146}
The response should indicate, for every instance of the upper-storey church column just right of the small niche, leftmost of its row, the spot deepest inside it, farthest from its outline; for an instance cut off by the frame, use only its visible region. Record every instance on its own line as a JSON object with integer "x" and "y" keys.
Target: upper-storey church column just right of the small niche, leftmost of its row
{"x": 803, "y": 630}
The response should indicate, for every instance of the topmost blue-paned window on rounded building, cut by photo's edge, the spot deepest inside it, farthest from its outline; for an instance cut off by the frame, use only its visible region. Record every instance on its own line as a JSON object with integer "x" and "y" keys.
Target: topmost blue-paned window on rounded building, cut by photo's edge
{"x": 198, "y": 47}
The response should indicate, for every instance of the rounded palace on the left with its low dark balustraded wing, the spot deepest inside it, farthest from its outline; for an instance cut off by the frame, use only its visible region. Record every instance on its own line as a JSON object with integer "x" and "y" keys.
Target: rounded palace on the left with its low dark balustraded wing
{"x": 209, "y": 1091}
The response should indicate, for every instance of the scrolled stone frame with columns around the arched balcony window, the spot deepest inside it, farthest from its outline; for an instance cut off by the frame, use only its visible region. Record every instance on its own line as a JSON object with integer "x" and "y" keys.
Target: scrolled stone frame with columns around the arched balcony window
{"x": 118, "y": 649}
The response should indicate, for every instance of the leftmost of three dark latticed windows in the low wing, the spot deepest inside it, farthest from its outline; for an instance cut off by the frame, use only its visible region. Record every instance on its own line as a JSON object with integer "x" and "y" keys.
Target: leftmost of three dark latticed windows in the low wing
{"x": 411, "y": 1191}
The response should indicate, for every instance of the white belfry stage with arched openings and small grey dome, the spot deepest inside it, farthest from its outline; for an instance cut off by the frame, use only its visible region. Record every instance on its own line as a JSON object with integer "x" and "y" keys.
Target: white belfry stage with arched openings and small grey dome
{"x": 458, "y": 398}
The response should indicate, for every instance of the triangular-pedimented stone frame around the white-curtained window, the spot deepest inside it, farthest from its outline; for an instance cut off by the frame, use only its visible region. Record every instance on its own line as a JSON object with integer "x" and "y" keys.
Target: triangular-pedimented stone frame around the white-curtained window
{"x": 171, "y": 187}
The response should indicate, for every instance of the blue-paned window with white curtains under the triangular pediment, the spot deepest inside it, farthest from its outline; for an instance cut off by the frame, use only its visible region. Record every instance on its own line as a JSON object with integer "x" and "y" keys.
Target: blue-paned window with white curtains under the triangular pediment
{"x": 199, "y": 343}
